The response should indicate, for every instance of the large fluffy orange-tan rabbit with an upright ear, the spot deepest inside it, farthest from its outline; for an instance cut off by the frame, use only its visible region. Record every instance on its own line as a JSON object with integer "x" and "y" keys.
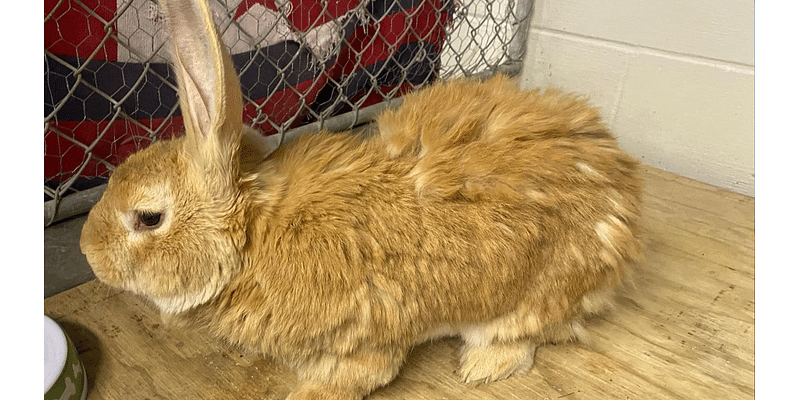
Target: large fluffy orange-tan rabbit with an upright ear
{"x": 475, "y": 209}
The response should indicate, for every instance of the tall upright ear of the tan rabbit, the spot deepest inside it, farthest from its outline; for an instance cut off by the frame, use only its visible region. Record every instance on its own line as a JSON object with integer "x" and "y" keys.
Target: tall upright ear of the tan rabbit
{"x": 209, "y": 92}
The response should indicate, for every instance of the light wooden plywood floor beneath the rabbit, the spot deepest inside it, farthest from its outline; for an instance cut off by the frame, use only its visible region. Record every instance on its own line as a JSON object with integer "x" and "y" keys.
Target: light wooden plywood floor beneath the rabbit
{"x": 686, "y": 331}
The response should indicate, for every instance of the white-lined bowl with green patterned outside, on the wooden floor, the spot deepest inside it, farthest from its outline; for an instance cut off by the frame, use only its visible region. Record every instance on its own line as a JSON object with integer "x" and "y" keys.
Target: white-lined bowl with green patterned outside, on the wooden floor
{"x": 64, "y": 376}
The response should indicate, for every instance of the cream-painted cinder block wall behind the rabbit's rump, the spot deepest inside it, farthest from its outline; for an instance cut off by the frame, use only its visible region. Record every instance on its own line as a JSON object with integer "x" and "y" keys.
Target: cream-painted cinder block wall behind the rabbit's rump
{"x": 674, "y": 79}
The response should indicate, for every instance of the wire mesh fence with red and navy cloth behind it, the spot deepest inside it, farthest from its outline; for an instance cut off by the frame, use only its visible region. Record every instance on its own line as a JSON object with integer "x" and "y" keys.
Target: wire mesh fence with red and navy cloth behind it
{"x": 303, "y": 65}
